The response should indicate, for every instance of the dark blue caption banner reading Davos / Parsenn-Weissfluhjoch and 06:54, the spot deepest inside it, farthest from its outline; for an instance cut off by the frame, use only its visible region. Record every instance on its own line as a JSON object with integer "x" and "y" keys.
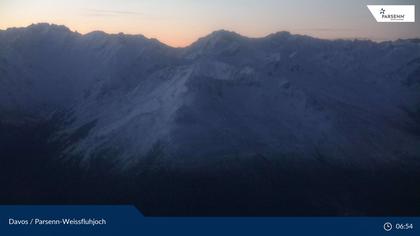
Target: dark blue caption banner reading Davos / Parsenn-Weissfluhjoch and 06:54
{"x": 127, "y": 220}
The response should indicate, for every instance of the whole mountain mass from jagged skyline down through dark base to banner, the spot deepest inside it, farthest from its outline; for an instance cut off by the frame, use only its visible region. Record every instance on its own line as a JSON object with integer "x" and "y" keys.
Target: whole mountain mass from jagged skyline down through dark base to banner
{"x": 280, "y": 125}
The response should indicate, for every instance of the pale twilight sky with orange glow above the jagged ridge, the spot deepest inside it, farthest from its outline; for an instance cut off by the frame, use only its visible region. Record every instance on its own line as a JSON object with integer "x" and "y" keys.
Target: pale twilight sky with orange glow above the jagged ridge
{"x": 180, "y": 22}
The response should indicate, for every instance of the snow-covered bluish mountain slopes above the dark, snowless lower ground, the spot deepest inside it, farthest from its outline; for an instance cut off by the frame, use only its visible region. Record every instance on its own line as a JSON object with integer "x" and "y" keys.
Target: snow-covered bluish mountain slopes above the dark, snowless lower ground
{"x": 225, "y": 95}
